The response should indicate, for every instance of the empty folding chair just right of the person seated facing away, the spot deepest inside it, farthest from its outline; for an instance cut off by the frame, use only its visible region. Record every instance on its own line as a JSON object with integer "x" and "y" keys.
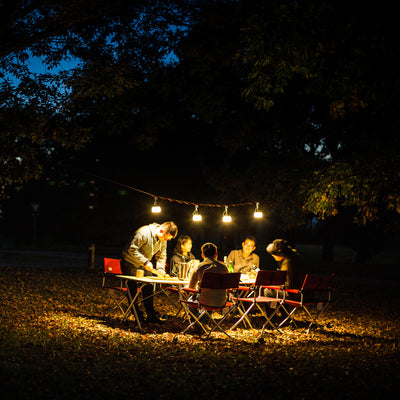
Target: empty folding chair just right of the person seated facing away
{"x": 264, "y": 279}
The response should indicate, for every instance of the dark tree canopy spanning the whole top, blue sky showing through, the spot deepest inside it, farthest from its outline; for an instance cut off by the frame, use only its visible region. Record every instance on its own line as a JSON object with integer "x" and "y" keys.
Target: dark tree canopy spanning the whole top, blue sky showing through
{"x": 292, "y": 103}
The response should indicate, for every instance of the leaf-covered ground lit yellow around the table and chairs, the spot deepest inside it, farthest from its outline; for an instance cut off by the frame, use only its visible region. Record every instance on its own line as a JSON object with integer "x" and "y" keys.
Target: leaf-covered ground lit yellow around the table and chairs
{"x": 56, "y": 344}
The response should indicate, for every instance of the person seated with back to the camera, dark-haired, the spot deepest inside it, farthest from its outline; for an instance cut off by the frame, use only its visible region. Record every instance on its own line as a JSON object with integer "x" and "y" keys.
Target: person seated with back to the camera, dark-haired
{"x": 209, "y": 252}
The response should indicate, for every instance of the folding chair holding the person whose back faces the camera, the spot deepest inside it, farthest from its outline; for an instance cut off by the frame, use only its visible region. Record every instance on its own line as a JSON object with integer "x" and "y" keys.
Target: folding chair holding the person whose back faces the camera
{"x": 229, "y": 282}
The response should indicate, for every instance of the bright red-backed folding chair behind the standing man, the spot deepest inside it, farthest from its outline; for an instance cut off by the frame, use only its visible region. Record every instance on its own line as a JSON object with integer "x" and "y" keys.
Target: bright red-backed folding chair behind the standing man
{"x": 114, "y": 285}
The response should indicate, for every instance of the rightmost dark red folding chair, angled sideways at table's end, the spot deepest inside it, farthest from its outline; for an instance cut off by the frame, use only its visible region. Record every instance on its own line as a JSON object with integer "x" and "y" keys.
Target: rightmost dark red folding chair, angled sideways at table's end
{"x": 315, "y": 293}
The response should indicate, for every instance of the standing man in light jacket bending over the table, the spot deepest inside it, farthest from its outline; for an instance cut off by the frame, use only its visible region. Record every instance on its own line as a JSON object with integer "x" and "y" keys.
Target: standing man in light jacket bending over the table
{"x": 148, "y": 241}
